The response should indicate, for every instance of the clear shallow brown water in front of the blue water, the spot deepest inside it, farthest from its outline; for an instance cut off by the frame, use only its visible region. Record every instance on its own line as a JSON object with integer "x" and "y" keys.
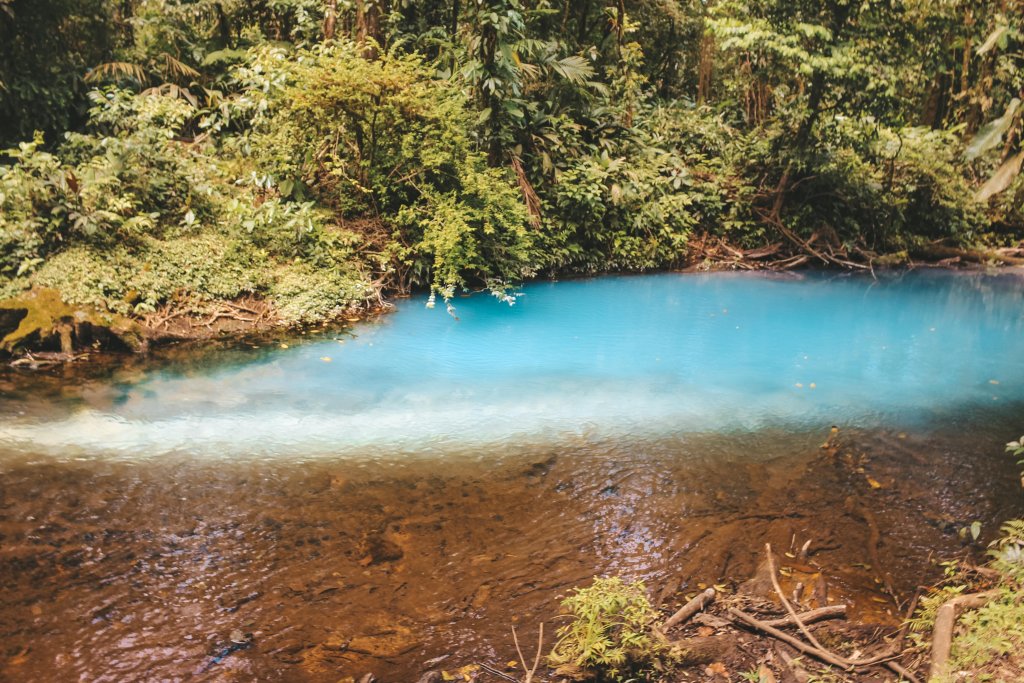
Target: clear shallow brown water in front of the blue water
{"x": 146, "y": 571}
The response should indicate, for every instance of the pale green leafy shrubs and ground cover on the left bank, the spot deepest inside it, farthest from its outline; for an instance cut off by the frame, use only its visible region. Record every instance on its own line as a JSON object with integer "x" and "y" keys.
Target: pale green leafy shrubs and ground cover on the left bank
{"x": 127, "y": 219}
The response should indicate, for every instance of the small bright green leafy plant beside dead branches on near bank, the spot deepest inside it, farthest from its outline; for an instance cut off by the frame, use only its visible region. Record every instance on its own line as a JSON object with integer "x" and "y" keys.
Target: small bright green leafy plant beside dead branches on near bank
{"x": 610, "y": 637}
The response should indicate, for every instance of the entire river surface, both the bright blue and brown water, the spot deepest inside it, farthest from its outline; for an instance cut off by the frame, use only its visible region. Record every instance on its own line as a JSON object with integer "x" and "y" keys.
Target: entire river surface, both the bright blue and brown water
{"x": 375, "y": 501}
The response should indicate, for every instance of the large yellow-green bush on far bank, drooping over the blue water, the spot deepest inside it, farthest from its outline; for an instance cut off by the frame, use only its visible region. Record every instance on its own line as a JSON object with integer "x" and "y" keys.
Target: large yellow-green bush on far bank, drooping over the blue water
{"x": 383, "y": 141}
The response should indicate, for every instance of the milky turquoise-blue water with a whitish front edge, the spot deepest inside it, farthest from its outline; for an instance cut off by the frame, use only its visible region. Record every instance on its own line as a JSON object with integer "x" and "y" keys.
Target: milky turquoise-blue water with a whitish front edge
{"x": 631, "y": 357}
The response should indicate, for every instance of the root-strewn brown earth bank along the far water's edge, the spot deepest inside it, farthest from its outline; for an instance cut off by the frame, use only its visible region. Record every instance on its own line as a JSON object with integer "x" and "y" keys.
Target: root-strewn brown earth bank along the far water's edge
{"x": 39, "y": 330}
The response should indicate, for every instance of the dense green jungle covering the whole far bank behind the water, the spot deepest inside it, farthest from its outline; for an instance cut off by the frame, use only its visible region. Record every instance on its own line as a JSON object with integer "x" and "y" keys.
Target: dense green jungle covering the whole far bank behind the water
{"x": 162, "y": 155}
